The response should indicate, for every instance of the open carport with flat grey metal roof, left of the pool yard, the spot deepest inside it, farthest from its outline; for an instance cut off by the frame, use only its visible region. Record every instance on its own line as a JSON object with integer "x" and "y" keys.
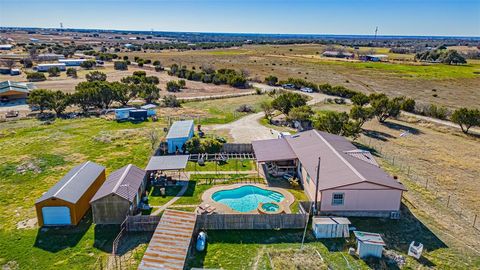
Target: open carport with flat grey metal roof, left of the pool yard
{"x": 164, "y": 164}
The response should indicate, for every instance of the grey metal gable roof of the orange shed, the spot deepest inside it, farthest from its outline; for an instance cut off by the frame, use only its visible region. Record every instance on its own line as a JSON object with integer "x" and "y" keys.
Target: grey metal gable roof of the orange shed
{"x": 74, "y": 184}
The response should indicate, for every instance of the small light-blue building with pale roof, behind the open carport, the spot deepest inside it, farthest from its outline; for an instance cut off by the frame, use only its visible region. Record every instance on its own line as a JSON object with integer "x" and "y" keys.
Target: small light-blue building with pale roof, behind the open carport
{"x": 180, "y": 132}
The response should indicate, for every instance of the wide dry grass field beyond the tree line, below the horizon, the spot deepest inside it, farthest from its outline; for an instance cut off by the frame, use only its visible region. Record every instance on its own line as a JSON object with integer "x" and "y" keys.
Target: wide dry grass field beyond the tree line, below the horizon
{"x": 453, "y": 86}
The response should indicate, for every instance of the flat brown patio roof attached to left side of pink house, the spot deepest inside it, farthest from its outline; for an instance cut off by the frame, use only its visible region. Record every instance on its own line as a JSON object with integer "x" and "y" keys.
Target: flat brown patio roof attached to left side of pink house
{"x": 271, "y": 150}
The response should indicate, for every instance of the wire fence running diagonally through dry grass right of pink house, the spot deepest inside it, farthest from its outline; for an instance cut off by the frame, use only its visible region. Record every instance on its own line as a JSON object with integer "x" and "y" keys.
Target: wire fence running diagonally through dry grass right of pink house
{"x": 448, "y": 199}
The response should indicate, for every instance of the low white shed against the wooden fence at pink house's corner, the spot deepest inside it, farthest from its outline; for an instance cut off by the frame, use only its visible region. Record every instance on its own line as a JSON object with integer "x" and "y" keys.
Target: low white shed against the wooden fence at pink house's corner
{"x": 330, "y": 227}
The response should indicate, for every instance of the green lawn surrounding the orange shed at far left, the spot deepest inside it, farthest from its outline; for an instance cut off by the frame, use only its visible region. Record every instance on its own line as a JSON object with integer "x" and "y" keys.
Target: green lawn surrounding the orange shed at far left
{"x": 34, "y": 157}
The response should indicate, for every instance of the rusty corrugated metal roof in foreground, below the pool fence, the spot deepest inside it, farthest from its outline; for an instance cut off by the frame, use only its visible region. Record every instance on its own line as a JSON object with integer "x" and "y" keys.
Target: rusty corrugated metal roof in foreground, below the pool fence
{"x": 169, "y": 245}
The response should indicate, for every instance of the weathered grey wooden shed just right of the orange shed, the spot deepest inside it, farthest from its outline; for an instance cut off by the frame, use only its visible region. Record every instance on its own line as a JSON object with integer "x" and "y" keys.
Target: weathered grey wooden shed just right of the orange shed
{"x": 119, "y": 195}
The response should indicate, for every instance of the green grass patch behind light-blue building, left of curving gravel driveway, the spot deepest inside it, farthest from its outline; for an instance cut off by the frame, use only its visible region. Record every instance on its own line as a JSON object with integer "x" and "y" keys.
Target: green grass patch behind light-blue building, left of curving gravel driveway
{"x": 221, "y": 111}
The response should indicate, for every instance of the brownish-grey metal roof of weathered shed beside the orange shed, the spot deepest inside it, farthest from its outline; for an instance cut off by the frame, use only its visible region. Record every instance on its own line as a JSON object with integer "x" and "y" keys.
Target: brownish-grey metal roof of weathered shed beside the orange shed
{"x": 123, "y": 182}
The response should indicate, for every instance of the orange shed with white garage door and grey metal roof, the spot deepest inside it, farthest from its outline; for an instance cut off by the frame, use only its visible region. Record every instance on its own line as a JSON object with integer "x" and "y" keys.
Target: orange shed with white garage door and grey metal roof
{"x": 68, "y": 200}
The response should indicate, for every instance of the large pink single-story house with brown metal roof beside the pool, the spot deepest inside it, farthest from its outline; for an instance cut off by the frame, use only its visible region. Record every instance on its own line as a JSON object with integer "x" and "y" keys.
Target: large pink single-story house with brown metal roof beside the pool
{"x": 350, "y": 181}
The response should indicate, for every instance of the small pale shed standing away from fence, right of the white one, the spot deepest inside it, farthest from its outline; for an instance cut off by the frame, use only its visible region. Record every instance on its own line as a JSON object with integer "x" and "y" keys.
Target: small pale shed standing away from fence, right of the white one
{"x": 369, "y": 244}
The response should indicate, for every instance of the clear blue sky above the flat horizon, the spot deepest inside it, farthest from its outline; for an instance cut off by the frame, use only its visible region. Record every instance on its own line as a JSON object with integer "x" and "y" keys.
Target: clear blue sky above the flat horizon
{"x": 393, "y": 17}
